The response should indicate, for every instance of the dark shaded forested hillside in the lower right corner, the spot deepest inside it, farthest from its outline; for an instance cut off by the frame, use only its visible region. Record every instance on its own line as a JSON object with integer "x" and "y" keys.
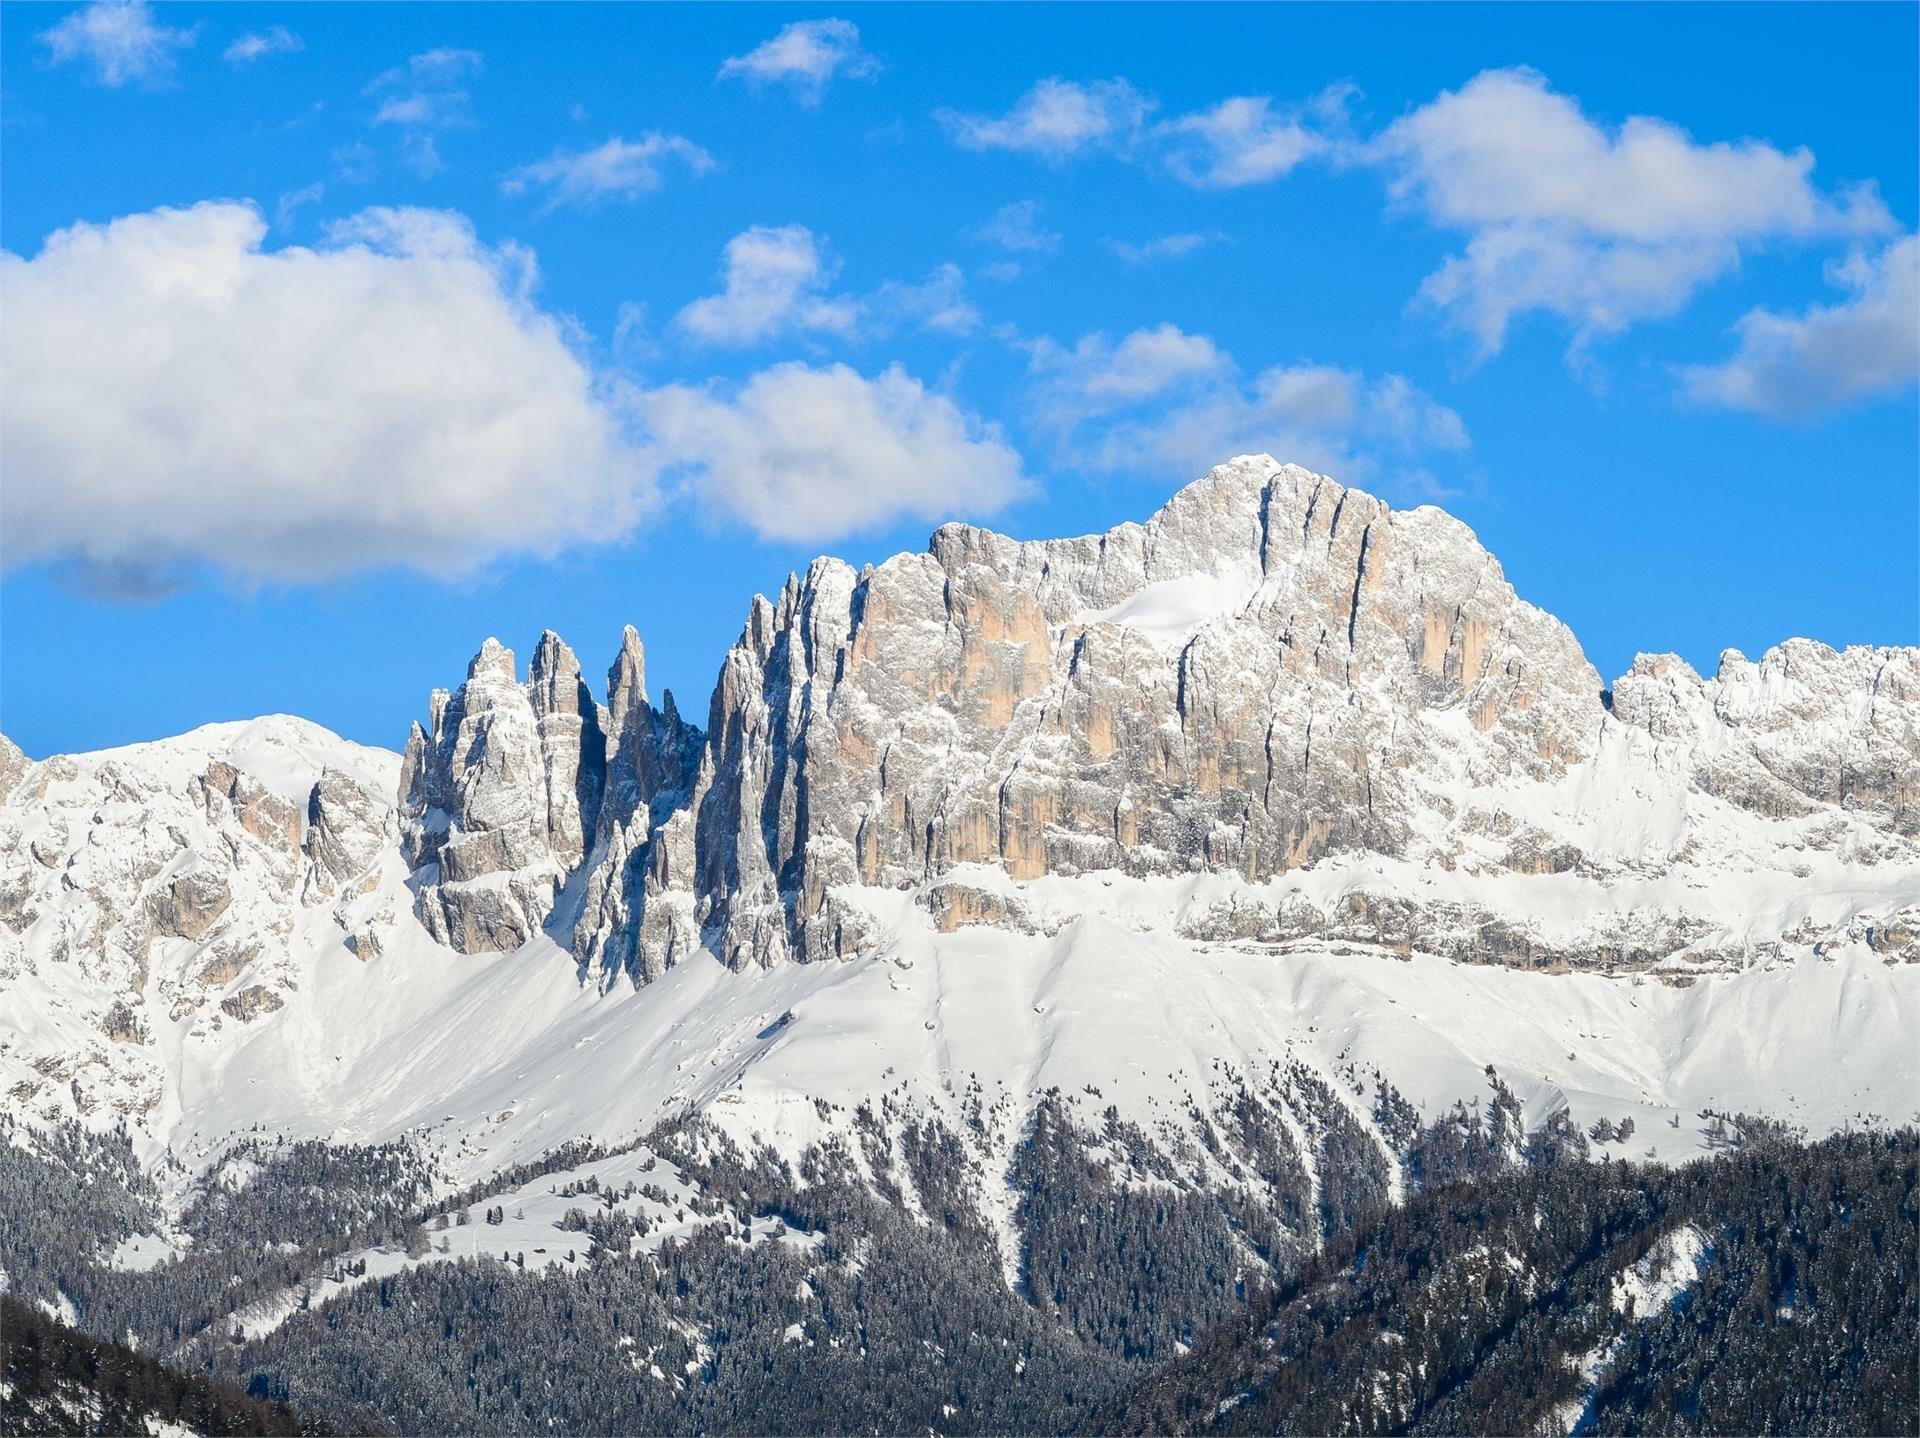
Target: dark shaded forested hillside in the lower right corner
{"x": 1764, "y": 1291}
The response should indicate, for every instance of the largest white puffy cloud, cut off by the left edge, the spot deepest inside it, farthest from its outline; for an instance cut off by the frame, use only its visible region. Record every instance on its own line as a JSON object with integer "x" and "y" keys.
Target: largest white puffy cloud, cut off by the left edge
{"x": 180, "y": 396}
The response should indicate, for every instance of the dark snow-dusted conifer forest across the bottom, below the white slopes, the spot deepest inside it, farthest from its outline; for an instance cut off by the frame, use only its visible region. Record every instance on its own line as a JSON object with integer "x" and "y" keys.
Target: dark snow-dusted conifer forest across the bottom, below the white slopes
{"x": 1522, "y": 1285}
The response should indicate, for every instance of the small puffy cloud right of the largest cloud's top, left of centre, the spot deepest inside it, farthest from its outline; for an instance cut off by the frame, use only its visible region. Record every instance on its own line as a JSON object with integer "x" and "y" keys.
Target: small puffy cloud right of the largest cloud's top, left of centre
{"x": 773, "y": 283}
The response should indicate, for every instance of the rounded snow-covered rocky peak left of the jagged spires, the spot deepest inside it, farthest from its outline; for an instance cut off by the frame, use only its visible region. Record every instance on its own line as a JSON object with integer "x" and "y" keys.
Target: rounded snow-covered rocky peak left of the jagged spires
{"x": 155, "y": 886}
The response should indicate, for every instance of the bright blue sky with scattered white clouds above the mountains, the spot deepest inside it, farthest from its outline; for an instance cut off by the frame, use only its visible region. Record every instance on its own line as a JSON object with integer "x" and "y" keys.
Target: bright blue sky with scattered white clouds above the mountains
{"x": 343, "y": 337}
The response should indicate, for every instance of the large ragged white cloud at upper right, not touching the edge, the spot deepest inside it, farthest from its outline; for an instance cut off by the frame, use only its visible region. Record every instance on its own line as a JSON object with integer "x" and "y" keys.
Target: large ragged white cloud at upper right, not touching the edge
{"x": 1600, "y": 228}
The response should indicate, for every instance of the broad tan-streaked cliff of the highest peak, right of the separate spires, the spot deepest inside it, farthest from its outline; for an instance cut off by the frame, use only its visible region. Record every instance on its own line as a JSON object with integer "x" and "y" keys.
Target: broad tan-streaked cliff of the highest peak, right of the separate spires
{"x": 1268, "y": 671}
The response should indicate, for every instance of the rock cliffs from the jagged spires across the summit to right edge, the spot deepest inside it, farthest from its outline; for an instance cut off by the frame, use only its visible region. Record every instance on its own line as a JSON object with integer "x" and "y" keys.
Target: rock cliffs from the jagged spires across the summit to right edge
{"x": 1274, "y": 671}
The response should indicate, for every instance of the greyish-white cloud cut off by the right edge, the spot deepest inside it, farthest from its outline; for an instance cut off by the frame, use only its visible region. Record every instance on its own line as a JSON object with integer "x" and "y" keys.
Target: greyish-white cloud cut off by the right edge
{"x": 1833, "y": 356}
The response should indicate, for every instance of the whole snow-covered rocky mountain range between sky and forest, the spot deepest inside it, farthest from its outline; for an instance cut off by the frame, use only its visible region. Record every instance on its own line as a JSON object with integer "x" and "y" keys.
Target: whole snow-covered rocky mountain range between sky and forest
{"x": 1282, "y": 777}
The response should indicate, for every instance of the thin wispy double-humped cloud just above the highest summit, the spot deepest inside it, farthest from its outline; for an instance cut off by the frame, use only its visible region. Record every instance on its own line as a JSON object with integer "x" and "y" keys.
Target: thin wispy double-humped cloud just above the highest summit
{"x": 1163, "y": 400}
